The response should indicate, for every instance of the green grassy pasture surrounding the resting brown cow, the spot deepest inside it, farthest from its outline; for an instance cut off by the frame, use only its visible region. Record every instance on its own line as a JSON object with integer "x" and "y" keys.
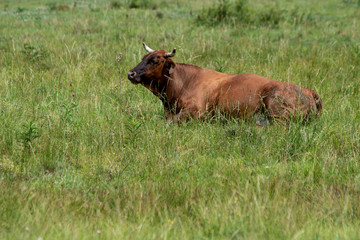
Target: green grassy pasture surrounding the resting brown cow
{"x": 84, "y": 154}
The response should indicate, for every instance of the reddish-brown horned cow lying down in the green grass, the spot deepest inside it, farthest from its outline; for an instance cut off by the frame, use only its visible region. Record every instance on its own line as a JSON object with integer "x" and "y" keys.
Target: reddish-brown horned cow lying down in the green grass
{"x": 191, "y": 91}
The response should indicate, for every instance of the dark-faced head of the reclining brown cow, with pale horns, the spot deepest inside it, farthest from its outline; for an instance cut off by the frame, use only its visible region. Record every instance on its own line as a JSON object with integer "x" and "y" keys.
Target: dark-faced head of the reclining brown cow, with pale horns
{"x": 154, "y": 66}
